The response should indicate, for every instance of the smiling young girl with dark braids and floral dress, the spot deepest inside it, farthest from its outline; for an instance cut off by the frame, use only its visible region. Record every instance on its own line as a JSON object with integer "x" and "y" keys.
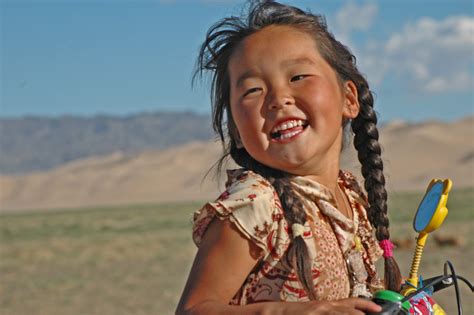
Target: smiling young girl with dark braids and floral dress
{"x": 291, "y": 226}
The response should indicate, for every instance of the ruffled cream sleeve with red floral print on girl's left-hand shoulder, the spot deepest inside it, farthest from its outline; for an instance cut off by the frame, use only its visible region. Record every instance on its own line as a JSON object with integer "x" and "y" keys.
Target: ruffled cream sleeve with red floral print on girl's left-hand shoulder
{"x": 250, "y": 202}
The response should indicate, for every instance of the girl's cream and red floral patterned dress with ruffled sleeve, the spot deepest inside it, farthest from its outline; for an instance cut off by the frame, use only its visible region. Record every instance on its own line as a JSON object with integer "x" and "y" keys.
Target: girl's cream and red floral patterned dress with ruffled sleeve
{"x": 252, "y": 204}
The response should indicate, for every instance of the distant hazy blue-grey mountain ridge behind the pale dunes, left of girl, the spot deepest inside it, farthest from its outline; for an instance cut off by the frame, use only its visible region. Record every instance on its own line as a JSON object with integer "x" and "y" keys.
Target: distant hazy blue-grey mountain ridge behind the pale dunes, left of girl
{"x": 35, "y": 143}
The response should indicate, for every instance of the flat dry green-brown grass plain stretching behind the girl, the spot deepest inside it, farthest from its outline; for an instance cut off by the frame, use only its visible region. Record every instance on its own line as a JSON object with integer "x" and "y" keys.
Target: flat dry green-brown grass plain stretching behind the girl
{"x": 135, "y": 259}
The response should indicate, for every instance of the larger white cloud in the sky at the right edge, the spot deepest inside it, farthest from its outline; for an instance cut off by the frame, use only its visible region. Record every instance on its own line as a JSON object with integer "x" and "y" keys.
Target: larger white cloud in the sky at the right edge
{"x": 430, "y": 55}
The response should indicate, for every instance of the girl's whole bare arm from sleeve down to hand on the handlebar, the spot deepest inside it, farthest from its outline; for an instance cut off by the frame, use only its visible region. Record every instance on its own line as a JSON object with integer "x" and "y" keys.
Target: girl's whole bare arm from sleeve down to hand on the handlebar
{"x": 223, "y": 262}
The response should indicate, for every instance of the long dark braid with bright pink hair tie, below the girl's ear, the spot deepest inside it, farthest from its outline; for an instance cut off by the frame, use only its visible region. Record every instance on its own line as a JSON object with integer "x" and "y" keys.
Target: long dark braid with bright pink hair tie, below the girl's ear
{"x": 369, "y": 153}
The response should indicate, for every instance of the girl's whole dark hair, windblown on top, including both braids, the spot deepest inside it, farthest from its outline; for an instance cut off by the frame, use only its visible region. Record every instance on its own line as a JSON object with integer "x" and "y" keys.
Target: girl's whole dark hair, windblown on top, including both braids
{"x": 222, "y": 39}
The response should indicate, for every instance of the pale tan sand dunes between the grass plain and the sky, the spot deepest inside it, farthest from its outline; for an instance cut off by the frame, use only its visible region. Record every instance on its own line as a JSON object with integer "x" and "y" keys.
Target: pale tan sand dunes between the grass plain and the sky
{"x": 413, "y": 154}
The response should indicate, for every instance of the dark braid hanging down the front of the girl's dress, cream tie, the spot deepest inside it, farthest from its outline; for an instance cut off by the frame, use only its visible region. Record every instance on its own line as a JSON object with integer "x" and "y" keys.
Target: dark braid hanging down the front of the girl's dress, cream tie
{"x": 298, "y": 253}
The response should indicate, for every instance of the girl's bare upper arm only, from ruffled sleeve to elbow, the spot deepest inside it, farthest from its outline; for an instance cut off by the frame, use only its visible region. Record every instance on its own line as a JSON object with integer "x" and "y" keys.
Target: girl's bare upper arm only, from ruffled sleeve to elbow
{"x": 222, "y": 263}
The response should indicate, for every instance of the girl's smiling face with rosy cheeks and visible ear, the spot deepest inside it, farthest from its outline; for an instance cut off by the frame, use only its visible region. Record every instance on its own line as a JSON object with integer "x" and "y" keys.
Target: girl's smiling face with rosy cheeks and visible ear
{"x": 287, "y": 102}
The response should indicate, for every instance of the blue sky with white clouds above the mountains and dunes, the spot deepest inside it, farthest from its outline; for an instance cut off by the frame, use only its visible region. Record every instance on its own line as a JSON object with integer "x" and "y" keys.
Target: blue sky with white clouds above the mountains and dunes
{"x": 86, "y": 57}
